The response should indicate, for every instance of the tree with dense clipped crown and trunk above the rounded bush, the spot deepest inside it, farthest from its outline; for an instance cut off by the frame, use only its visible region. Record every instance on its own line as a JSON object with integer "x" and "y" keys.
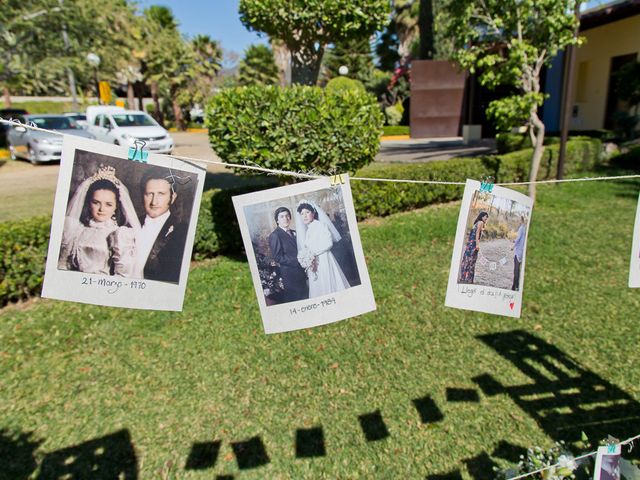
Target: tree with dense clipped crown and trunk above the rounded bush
{"x": 308, "y": 26}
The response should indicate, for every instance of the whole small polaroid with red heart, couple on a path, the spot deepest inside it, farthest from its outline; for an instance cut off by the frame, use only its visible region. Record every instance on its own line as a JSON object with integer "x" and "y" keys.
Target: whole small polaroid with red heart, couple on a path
{"x": 487, "y": 265}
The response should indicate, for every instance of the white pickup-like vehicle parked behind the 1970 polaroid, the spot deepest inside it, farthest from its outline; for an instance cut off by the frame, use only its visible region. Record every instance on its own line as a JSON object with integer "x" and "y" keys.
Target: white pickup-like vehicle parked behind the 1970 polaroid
{"x": 123, "y": 127}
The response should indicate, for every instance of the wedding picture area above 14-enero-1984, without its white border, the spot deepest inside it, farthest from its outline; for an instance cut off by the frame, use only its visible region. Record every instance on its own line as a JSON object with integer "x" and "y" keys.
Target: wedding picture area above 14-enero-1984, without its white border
{"x": 302, "y": 245}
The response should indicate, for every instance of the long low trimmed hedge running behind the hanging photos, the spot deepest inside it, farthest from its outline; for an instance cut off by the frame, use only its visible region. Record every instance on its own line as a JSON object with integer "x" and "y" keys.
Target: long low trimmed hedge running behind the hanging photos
{"x": 23, "y": 244}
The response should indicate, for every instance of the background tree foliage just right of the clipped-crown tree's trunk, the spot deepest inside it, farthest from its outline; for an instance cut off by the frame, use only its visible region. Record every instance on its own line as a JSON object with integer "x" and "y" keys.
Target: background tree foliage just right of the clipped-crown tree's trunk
{"x": 353, "y": 53}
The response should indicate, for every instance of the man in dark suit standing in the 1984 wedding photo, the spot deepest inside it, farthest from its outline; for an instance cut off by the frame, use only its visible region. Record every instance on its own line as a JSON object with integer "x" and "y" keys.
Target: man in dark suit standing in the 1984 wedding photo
{"x": 284, "y": 249}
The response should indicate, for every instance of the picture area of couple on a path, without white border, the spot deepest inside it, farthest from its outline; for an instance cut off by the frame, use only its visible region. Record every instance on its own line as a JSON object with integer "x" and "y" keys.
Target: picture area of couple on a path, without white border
{"x": 494, "y": 247}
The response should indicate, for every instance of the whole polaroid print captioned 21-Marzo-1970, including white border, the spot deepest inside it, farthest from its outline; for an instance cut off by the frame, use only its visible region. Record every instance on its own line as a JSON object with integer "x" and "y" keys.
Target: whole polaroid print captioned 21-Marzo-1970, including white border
{"x": 122, "y": 230}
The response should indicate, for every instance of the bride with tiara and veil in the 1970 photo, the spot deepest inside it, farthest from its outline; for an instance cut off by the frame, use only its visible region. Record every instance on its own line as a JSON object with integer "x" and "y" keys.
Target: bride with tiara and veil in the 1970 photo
{"x": 101, "y": 227}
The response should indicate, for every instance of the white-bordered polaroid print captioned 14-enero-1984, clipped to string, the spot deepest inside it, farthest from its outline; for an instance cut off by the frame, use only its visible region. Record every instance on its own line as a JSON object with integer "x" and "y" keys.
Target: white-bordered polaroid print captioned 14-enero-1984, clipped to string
{"x": 305, "y": 255}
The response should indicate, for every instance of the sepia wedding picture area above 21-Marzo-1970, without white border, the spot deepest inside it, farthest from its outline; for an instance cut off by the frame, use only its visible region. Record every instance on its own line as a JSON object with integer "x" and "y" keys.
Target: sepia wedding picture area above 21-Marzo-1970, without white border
{"x": 126, "y": 219}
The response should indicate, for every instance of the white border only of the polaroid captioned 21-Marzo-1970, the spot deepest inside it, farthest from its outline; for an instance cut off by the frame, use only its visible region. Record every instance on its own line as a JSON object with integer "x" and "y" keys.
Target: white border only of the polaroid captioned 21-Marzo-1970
{"x": 114, "y": 291}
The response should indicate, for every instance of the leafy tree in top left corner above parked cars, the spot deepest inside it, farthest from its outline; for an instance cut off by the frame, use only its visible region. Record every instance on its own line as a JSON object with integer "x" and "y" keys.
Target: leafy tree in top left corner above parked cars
{"x": 35, "y": 56}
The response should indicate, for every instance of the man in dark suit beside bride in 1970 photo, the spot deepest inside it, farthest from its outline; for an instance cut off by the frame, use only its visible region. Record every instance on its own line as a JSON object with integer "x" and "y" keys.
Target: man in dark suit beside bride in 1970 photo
{"x": 160, "y": 248}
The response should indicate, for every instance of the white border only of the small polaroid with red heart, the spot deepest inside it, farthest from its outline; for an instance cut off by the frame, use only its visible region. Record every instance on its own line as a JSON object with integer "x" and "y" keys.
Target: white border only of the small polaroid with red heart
{"x": 482, "y": 298}
